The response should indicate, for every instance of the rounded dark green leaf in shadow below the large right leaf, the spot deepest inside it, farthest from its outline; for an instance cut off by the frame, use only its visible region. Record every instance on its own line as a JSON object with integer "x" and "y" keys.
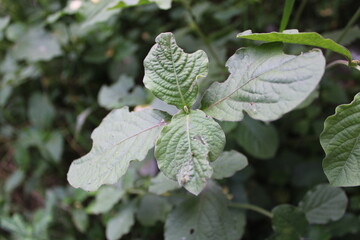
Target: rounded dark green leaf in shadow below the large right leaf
{"x": 258, "y": 139}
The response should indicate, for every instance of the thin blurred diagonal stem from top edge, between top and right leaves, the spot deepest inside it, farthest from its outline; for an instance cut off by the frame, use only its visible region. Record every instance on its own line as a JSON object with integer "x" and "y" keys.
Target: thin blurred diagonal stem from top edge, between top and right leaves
{"x": 202, "y": 35}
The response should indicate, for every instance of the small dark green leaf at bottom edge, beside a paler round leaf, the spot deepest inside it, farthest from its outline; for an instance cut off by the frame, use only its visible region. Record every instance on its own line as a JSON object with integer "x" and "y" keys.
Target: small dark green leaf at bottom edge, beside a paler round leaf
{"x": 289, "y": 222}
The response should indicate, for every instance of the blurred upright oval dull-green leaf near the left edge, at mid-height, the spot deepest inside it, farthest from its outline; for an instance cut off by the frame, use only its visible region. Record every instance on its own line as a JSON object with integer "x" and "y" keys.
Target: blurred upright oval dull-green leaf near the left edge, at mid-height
{"x": 40, "y": 111}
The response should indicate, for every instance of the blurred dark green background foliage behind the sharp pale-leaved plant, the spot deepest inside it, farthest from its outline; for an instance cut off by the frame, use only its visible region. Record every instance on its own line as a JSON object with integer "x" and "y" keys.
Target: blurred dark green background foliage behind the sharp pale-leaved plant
{"x": 65, "y": 64}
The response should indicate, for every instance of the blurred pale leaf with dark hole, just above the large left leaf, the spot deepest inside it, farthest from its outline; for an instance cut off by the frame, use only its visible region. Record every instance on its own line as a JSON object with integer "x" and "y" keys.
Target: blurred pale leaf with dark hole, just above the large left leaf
{"x": 122, "y": 93}
